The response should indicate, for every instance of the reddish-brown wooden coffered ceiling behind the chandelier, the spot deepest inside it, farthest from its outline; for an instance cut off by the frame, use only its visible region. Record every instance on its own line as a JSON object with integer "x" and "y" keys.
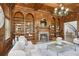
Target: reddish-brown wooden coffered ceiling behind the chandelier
{"x": 49, "y": 6}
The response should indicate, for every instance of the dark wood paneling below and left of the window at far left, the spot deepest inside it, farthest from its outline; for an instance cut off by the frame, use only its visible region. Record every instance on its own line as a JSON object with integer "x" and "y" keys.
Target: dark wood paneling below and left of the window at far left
{"x": 5, "y": 45}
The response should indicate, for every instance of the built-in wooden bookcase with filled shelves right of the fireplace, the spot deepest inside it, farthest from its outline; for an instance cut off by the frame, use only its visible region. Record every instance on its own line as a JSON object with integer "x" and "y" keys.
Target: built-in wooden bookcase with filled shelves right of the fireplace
{"x": 55, "y": 28}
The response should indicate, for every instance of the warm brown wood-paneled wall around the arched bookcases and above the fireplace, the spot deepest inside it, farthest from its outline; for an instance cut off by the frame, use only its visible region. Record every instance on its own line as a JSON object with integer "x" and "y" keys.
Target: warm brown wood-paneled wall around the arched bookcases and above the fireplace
{"x": 38, "y": 16}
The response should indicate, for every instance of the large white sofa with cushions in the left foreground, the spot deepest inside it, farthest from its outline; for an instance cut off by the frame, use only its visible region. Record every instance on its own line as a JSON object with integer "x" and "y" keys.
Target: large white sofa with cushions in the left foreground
{"x": 23, "y": 48}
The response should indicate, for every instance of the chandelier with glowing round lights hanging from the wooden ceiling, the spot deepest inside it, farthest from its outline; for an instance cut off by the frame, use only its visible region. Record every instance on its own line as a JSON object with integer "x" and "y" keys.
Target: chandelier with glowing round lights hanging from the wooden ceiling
{"x": 61, "y": 11}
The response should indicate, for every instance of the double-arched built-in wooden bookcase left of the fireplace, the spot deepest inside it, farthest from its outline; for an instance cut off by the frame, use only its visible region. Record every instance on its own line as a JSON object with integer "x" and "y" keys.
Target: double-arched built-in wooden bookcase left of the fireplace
{"x": 24, "y": 25}
